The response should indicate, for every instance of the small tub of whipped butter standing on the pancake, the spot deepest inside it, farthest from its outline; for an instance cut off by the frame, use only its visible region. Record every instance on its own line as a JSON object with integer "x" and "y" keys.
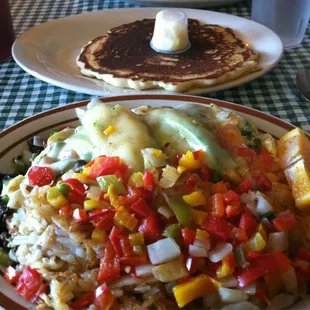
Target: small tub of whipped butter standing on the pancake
{"x": 170, "y": 32}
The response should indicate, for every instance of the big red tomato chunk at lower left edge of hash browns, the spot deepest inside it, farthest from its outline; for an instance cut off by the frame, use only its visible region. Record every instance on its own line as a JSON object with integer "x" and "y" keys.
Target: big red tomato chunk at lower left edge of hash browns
{"x": 29, "y": 283}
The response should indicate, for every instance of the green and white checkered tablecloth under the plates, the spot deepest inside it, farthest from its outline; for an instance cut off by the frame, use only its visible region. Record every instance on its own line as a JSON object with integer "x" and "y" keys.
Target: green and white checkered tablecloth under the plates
{"x": 22, "y": 95}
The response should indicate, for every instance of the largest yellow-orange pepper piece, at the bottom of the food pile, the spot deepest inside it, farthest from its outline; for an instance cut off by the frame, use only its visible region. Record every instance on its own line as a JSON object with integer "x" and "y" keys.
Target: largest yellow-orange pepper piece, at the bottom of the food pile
{"x": 202, "y": 285}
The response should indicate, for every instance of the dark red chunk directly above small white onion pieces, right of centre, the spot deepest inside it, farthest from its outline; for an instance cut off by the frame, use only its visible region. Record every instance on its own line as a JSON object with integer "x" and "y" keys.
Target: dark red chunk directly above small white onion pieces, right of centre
{"x": 218, "y": 228}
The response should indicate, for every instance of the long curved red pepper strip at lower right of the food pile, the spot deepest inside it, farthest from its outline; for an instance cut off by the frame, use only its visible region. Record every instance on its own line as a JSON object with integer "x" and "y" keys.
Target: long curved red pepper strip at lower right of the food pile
{"x": 263, "y": 265}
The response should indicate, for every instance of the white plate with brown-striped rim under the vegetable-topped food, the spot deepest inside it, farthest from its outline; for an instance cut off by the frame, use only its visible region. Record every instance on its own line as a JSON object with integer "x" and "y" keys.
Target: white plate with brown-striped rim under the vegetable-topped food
{"x": 14, "y": 140}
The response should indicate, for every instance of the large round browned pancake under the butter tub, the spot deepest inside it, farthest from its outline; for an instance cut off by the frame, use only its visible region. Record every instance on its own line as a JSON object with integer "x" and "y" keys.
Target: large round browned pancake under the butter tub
{"x": 124, "y": 58}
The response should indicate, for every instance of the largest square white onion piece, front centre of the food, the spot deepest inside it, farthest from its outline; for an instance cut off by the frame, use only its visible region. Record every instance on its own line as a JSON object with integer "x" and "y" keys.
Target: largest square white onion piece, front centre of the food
{"x": 163, "y": 251}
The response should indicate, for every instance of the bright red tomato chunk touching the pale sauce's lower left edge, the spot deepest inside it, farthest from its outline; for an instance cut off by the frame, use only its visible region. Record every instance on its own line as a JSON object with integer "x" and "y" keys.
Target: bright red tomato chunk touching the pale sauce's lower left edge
{"x": 104, "y": 165}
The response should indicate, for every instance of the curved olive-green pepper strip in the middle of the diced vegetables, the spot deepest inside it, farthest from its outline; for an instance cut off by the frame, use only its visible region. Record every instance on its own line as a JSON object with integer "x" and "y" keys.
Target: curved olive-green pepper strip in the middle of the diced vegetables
{"x": 181, "y": 209}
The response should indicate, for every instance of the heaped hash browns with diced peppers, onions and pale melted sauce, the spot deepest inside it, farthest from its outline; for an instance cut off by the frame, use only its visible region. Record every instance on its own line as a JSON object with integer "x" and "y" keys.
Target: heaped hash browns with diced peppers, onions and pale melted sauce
{"x": 158, "y": 208}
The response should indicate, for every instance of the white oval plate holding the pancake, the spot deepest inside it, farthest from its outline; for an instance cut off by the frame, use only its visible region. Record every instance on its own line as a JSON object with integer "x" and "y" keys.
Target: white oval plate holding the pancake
{"x": 48, "y": 51}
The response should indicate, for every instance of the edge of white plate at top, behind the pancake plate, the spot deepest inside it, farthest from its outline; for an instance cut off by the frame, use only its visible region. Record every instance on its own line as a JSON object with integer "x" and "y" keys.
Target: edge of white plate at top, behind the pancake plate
{"x": 184, "y": 3}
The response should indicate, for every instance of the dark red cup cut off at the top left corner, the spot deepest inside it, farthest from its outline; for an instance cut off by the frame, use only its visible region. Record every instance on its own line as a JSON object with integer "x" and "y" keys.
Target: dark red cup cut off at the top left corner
{"x": 7, "y": 36}
